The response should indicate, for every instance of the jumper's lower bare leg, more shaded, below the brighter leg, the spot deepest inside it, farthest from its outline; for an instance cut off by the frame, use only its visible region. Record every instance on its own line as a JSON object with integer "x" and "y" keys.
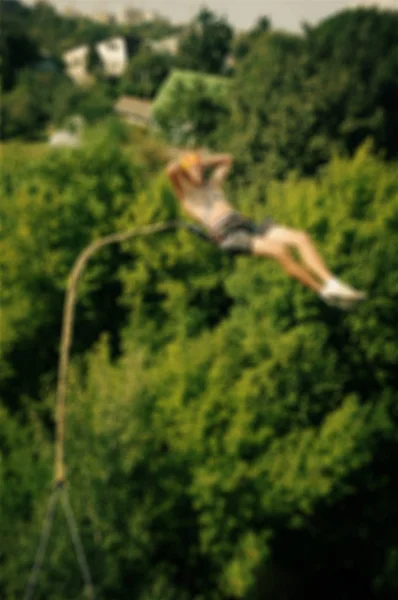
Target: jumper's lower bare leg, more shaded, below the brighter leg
{"x": 263, "y": 246}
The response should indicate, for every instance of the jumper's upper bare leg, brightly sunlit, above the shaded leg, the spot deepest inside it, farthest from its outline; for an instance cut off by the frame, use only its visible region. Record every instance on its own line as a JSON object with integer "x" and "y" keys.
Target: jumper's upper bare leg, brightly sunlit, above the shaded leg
{"x": 305, "y": 247}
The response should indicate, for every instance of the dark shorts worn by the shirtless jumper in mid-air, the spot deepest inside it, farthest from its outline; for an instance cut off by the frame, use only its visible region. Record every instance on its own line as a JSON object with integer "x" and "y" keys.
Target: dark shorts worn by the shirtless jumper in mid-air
{"x": 236, "y": 233}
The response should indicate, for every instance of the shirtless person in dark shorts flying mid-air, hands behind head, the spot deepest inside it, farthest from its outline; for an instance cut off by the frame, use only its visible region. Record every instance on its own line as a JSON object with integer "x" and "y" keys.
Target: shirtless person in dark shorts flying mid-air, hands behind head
{"x": 198, "y": 183}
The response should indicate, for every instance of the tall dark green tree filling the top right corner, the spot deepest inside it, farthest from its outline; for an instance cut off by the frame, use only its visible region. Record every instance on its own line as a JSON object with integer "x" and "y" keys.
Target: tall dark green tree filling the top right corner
{"x": 363, "y": 101}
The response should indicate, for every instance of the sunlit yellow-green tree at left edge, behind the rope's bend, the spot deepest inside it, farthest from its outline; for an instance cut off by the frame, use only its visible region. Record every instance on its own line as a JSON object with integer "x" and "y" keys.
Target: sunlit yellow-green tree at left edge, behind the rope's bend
{"x": 60, "y": 203}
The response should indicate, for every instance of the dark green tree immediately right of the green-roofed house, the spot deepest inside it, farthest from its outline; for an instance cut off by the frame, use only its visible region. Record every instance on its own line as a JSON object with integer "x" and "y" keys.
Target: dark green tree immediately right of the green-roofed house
{"x": 265, "y": 81}
